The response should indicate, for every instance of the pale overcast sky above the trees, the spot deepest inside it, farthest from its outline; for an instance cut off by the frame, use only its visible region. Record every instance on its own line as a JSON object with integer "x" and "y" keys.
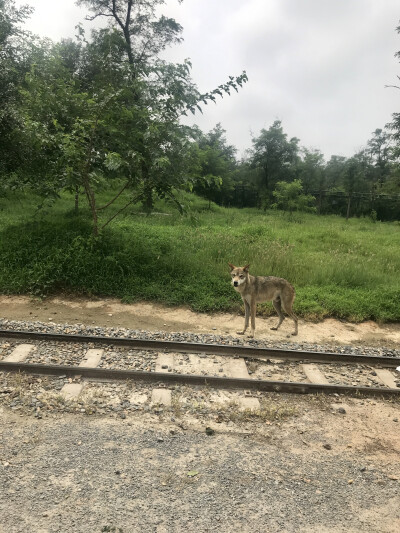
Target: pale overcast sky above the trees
{"x": 319, "y": 66}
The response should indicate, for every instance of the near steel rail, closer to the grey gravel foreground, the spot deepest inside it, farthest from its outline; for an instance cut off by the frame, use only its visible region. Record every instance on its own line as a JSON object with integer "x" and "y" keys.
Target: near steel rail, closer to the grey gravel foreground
{"x": 191, "y": 379}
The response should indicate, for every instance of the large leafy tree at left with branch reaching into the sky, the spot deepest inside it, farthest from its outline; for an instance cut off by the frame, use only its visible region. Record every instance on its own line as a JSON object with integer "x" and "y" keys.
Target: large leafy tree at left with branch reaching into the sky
{"x": 110, "y": 108}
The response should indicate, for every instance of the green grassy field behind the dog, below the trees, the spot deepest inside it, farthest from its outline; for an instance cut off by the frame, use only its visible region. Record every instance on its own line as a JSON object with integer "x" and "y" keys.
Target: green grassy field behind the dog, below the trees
{"x": 342, "y": 269}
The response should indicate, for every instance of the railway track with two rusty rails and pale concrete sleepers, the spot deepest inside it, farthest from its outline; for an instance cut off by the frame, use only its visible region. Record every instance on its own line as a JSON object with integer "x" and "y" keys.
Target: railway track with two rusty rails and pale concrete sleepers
{"x": 199, "y": 362}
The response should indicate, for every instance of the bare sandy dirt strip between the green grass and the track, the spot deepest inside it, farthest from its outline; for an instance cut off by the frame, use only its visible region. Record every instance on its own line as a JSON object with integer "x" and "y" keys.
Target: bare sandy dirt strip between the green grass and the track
{"x": 154, "y": 317}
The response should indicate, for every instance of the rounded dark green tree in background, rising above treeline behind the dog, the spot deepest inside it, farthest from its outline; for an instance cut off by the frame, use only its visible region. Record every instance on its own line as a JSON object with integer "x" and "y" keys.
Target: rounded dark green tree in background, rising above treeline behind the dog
{"x": 274, "y": 156}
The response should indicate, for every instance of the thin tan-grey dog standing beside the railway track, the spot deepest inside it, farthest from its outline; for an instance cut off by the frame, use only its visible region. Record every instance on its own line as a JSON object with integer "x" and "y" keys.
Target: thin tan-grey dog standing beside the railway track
{"x": 255, "y": 289}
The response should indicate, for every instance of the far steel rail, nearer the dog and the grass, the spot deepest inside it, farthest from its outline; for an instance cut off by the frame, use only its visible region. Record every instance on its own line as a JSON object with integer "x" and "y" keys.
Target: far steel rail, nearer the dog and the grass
{"x": 215, "y": 349}
